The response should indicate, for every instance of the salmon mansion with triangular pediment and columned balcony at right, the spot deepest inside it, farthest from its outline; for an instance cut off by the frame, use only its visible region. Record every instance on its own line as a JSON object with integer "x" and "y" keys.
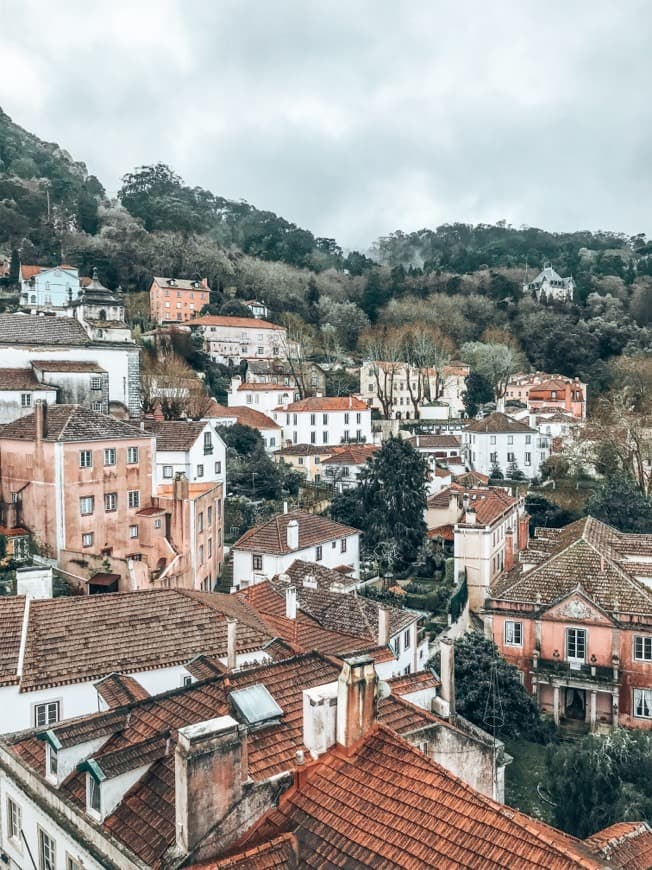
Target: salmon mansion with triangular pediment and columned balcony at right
{"x": 575, "y": 617}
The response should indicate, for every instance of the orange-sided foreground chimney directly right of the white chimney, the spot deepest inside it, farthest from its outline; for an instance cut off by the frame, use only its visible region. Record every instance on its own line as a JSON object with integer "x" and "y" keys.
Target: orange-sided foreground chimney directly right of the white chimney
{"x": 356, "y": 700}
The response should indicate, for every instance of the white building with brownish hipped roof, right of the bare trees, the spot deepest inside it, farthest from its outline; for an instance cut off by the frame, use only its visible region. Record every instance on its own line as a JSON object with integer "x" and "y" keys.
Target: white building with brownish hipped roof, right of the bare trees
{"x": 497, "y": 440}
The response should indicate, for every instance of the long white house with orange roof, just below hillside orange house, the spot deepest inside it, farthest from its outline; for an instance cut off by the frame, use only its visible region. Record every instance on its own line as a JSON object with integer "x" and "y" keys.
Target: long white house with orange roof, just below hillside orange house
{"x": 227, "y": 340}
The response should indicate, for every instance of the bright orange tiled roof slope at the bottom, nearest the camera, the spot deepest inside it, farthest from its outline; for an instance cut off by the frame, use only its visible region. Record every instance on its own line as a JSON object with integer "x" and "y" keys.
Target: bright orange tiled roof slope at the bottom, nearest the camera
{"x": 386, "y": 805}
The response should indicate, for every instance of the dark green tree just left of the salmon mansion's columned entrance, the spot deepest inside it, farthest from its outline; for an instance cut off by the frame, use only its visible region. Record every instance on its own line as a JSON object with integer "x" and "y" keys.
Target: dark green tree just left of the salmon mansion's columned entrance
{"x": 517, "y": 715}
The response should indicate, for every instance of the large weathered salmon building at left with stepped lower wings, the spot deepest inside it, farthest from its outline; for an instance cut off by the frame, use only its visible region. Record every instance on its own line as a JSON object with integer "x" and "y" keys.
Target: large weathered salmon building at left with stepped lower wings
{"x": 83, "y": 484}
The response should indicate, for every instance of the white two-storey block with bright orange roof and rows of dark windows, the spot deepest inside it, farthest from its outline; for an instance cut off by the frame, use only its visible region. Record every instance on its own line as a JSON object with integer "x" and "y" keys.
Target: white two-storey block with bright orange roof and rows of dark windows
{"x": 325, "y": 420}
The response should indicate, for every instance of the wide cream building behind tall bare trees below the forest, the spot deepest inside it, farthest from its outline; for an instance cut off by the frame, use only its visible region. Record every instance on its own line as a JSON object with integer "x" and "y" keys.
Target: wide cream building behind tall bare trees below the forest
{"x": 393, "y": 388}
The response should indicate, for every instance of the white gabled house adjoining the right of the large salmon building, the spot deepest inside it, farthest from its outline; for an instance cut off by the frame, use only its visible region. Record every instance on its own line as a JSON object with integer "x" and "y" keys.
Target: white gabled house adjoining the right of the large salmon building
{"x": 191, "y": 447}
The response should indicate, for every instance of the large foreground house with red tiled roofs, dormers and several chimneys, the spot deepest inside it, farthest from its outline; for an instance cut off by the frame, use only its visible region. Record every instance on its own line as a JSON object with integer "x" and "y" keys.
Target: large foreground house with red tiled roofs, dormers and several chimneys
{"x": 274, "y": 766}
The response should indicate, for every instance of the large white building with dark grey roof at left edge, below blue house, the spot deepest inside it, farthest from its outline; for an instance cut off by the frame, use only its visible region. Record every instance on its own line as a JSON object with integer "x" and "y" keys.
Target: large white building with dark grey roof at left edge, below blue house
{"x": 26, "y": 341}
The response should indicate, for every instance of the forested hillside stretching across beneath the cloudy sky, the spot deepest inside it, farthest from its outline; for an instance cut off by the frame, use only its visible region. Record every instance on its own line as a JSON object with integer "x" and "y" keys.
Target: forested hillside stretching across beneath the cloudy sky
{"x": 459, "y": 283}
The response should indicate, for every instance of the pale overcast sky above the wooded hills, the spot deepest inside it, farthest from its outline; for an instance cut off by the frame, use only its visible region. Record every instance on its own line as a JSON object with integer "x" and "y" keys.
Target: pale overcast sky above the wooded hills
{"x": 353, "y": 118}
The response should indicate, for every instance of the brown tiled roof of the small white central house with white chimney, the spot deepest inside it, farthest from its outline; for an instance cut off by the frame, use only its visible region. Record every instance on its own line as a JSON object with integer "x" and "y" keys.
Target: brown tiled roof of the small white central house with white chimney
{"x": 271, "y": 537}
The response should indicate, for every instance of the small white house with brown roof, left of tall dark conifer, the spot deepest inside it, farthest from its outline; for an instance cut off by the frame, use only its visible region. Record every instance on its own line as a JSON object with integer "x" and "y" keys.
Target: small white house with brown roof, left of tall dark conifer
{"x": 270, "y": 549}
